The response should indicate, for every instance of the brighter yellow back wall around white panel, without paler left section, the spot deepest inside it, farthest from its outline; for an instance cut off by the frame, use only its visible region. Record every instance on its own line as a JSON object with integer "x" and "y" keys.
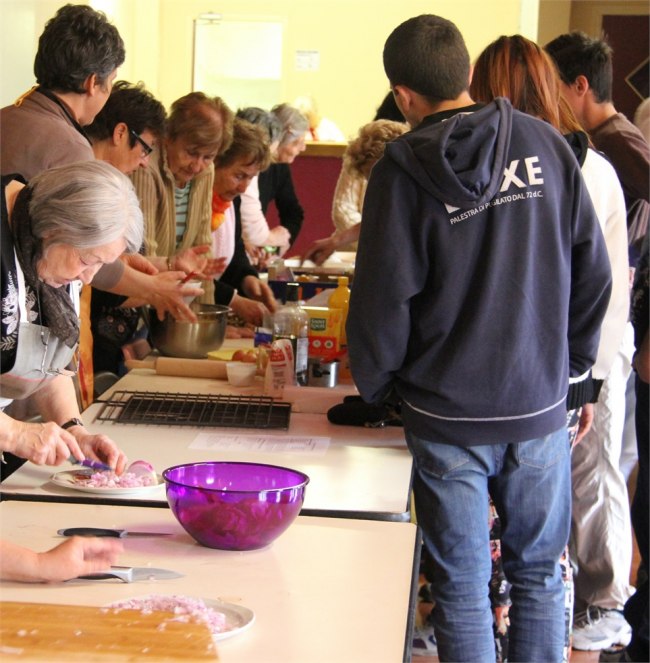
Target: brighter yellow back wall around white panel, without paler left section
{"x": 349, "y": 35}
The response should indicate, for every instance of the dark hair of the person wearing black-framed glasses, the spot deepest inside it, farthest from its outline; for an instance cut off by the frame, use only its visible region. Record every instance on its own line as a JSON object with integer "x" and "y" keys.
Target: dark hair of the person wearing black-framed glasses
{"x": 133, "y": 105}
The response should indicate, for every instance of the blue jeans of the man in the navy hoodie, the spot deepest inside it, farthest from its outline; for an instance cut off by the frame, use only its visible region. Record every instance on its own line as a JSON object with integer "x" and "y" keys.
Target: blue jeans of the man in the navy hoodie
{"x": 530, "y": 484}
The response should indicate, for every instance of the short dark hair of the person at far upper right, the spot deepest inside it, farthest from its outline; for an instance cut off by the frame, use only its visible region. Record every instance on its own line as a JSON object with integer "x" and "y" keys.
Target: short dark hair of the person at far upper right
{"x": 578, "y": 54}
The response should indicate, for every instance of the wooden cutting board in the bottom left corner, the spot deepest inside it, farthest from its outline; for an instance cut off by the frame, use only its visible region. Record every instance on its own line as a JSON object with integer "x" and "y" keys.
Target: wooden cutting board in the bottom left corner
{"x": 39, "y": 631}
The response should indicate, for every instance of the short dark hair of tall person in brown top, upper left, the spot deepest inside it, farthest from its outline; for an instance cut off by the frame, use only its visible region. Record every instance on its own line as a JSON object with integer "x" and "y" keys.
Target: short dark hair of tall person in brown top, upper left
{"x": 76, "y": 43}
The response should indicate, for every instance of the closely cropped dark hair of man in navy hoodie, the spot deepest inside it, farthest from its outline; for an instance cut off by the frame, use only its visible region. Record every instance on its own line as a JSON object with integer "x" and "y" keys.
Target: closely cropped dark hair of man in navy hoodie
{"x": 427, "y": 54}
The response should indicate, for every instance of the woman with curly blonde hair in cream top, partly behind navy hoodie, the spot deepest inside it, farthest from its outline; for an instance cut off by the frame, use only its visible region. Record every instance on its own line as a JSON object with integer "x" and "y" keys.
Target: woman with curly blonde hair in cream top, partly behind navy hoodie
{"x": 360, "y": 156}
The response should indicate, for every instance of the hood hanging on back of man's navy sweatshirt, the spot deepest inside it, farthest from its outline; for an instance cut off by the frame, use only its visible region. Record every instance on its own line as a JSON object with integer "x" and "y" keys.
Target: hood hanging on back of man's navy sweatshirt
{"x": 464, "y": 166}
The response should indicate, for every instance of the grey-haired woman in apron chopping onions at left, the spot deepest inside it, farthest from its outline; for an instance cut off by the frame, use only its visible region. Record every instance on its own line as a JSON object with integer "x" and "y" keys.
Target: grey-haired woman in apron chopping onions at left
{"x": 57, "y": 231}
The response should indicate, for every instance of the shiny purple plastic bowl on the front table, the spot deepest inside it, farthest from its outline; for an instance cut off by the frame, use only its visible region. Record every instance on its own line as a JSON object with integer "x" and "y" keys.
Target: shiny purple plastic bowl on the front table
{"x": 234, "y": 506}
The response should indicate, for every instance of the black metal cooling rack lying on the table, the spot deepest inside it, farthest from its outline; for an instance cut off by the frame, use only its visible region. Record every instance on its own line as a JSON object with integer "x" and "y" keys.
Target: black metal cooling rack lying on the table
{"x": 174, "y": 409}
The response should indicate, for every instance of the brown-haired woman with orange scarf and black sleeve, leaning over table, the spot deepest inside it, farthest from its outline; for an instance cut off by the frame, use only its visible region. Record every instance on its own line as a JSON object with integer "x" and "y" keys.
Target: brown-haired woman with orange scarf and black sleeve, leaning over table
{"x": 234, "y": 170}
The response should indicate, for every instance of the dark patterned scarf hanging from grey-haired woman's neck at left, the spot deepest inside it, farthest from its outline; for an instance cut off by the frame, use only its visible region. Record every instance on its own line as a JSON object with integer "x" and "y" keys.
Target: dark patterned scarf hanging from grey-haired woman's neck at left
{"x": 55, "y": 306}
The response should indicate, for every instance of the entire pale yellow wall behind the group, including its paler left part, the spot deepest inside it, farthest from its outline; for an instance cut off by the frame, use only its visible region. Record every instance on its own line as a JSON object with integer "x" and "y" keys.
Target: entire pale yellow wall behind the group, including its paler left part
{"x": 349, "y": 35}
